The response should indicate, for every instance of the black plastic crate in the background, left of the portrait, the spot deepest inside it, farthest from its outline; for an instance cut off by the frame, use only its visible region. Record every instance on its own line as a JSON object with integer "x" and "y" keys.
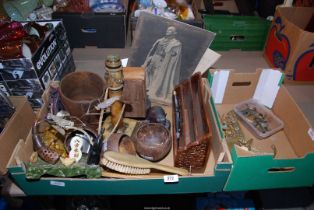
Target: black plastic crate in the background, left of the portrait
{"x": 104, "y": 30}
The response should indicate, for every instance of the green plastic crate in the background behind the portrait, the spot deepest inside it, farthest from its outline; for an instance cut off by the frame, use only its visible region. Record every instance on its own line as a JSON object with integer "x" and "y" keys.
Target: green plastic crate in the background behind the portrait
{"x": 237, "y": 32}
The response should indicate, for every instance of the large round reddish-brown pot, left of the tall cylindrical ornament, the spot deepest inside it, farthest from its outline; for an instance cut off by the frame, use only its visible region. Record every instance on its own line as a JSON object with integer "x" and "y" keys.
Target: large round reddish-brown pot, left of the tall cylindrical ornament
{"x": 80, "y": 92}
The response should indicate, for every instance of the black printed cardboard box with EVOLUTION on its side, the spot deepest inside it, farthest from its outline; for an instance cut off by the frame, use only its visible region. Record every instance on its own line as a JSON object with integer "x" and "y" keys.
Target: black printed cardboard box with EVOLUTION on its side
{"x": 30, "y": 76}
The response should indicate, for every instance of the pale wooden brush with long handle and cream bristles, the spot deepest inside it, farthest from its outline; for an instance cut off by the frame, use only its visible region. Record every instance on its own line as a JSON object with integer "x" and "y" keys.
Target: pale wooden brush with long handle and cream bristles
{"x": 130, "y": 164}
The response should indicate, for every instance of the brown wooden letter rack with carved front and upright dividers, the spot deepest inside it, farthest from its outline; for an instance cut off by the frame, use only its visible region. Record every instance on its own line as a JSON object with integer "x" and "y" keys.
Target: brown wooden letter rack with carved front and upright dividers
{"x": 191, "y": 125}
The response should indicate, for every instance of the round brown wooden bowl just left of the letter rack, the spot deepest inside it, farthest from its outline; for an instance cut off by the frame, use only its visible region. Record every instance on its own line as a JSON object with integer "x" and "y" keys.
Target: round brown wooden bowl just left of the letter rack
{"x": 153, "y": 141}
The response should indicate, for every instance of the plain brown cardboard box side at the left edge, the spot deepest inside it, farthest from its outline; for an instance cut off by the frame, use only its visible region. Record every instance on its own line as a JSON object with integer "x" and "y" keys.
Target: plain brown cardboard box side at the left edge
{"x": 16, "y": 128}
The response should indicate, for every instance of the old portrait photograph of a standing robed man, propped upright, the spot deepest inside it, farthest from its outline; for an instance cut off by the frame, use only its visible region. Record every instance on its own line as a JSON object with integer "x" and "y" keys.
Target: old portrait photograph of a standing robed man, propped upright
{"x": 168, "y": 50}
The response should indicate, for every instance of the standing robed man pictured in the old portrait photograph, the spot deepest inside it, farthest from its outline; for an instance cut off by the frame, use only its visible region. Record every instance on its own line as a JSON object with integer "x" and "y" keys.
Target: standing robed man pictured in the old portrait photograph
{"x": 162, "y": 66}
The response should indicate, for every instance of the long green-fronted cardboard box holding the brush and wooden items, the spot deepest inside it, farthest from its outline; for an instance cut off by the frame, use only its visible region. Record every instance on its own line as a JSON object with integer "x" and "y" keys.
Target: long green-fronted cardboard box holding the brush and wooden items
{"x": 212, "y": 180}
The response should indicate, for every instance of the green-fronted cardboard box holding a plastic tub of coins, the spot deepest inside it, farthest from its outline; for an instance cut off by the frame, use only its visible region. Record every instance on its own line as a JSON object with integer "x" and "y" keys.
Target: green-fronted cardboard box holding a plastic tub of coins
{"x": 294, "y": 145}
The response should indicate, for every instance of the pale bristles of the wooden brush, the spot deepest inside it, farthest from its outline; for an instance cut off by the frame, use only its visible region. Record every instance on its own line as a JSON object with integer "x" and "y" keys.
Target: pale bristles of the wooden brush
{"x": 123, "y": 168}
